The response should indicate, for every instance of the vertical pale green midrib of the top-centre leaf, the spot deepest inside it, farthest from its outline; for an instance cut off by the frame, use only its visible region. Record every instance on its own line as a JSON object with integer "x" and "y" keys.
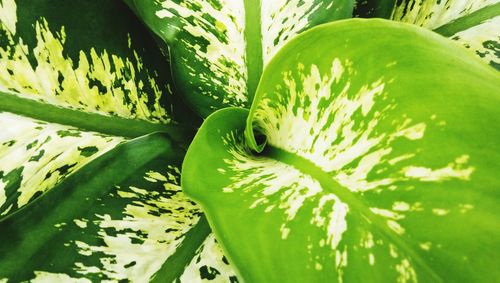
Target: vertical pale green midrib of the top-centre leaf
{"x": 253, "y": 37}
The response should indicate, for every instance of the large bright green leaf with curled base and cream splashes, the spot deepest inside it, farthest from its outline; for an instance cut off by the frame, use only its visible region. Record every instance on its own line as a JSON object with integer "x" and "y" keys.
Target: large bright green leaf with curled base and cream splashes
{"x": 358, "y": 161}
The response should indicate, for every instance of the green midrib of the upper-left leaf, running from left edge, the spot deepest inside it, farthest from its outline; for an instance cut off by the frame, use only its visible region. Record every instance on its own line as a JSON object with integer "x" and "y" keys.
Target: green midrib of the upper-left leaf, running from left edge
{"x": 108, "y": 125}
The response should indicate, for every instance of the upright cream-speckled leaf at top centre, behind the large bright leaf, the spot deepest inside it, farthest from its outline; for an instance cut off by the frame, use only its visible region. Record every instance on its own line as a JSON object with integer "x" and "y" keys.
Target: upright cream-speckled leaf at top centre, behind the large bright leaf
{"x": 219, "y": 48}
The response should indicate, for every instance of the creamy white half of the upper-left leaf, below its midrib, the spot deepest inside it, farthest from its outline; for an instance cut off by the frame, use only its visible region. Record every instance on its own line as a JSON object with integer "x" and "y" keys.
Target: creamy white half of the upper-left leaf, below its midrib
{"x": 36, "y": 155}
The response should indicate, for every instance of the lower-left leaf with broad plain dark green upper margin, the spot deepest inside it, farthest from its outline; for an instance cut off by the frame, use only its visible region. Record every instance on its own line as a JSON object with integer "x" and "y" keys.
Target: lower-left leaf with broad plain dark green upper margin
{"x": 122, "y": 217}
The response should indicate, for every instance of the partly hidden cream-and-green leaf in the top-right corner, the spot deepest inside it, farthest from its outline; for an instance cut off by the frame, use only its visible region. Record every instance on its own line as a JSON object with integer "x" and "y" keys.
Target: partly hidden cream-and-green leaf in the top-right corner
{"x": 475, "y": 24}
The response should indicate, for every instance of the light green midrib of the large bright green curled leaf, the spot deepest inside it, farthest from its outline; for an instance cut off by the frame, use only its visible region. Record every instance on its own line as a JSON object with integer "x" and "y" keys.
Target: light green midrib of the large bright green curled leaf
{"x": 327, "y": 183}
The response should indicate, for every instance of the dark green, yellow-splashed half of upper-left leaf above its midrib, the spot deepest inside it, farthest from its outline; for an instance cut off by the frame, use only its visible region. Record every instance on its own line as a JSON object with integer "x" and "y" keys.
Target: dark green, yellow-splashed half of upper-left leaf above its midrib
{"x": 59, "y": 53}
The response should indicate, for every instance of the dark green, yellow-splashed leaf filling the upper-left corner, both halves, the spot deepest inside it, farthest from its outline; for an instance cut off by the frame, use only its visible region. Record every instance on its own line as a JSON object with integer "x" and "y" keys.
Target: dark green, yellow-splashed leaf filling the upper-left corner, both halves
{"x": 71, "y": 90}
